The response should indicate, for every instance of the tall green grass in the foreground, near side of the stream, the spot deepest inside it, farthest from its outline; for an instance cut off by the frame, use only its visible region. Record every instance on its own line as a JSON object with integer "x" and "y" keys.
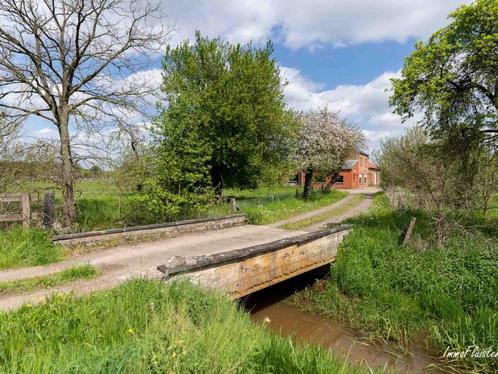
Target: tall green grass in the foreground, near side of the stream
{"x": 146, "y": 326}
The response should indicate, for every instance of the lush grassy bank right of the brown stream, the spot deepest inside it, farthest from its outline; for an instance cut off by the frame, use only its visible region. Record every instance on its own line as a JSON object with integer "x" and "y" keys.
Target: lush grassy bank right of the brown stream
{"x": 445, "y": 298}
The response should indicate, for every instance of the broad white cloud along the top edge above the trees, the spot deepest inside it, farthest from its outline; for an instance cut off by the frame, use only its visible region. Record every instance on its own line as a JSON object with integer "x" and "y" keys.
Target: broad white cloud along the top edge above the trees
{"x": 310, "y": 23}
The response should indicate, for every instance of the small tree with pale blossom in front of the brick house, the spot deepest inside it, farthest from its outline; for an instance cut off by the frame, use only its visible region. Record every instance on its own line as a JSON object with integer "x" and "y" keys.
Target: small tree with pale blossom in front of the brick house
{"x": 325, "y": 141}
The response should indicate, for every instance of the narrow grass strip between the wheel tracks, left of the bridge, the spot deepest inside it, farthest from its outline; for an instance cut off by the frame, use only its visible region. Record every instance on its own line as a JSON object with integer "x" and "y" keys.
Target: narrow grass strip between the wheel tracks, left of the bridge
{"x": 57, "y": 279}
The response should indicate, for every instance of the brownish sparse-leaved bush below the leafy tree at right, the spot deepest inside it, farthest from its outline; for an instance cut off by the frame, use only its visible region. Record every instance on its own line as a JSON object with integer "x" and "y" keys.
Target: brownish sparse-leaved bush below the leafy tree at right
{"x": 426, "y": 178}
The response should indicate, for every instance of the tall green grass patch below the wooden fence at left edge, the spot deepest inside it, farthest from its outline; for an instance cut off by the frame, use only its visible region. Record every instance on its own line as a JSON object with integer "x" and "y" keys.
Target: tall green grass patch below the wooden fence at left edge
{"x": 20, "y": 247}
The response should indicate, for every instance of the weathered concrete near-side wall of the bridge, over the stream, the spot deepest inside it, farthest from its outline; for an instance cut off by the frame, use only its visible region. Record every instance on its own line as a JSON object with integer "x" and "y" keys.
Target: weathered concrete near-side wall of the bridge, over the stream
{"x": 241, "y": 272}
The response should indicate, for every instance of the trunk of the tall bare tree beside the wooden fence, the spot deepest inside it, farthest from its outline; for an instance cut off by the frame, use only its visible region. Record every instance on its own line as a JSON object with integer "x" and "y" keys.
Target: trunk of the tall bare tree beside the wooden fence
{"x": 68, "y": 206}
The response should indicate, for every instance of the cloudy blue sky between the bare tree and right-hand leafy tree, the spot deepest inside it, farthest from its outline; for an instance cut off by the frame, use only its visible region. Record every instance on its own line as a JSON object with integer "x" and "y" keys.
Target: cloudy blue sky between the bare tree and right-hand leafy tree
{"x": 335, "y": 53}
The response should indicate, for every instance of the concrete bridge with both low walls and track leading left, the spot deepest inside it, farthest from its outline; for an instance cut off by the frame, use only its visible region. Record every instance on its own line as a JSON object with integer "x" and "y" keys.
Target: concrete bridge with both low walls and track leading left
{"x": 223, "y": 253}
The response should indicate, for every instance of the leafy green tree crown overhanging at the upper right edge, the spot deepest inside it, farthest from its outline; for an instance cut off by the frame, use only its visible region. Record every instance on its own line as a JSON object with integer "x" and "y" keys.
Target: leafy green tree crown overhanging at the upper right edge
{"x": 452, "y": 79}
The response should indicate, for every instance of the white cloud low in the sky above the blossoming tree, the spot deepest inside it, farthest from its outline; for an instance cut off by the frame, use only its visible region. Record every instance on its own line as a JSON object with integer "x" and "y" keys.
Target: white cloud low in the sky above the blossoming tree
{"x": 366, "y": 105}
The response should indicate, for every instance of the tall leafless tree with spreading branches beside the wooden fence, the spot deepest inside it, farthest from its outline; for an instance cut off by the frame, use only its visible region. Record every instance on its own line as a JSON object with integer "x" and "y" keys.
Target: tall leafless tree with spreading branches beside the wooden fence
{"x": 76, "y": 64}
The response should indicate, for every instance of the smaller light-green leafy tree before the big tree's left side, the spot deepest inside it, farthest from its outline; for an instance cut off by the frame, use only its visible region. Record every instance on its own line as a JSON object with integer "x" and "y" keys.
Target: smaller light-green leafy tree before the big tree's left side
{"x": 175, "y": 181}
